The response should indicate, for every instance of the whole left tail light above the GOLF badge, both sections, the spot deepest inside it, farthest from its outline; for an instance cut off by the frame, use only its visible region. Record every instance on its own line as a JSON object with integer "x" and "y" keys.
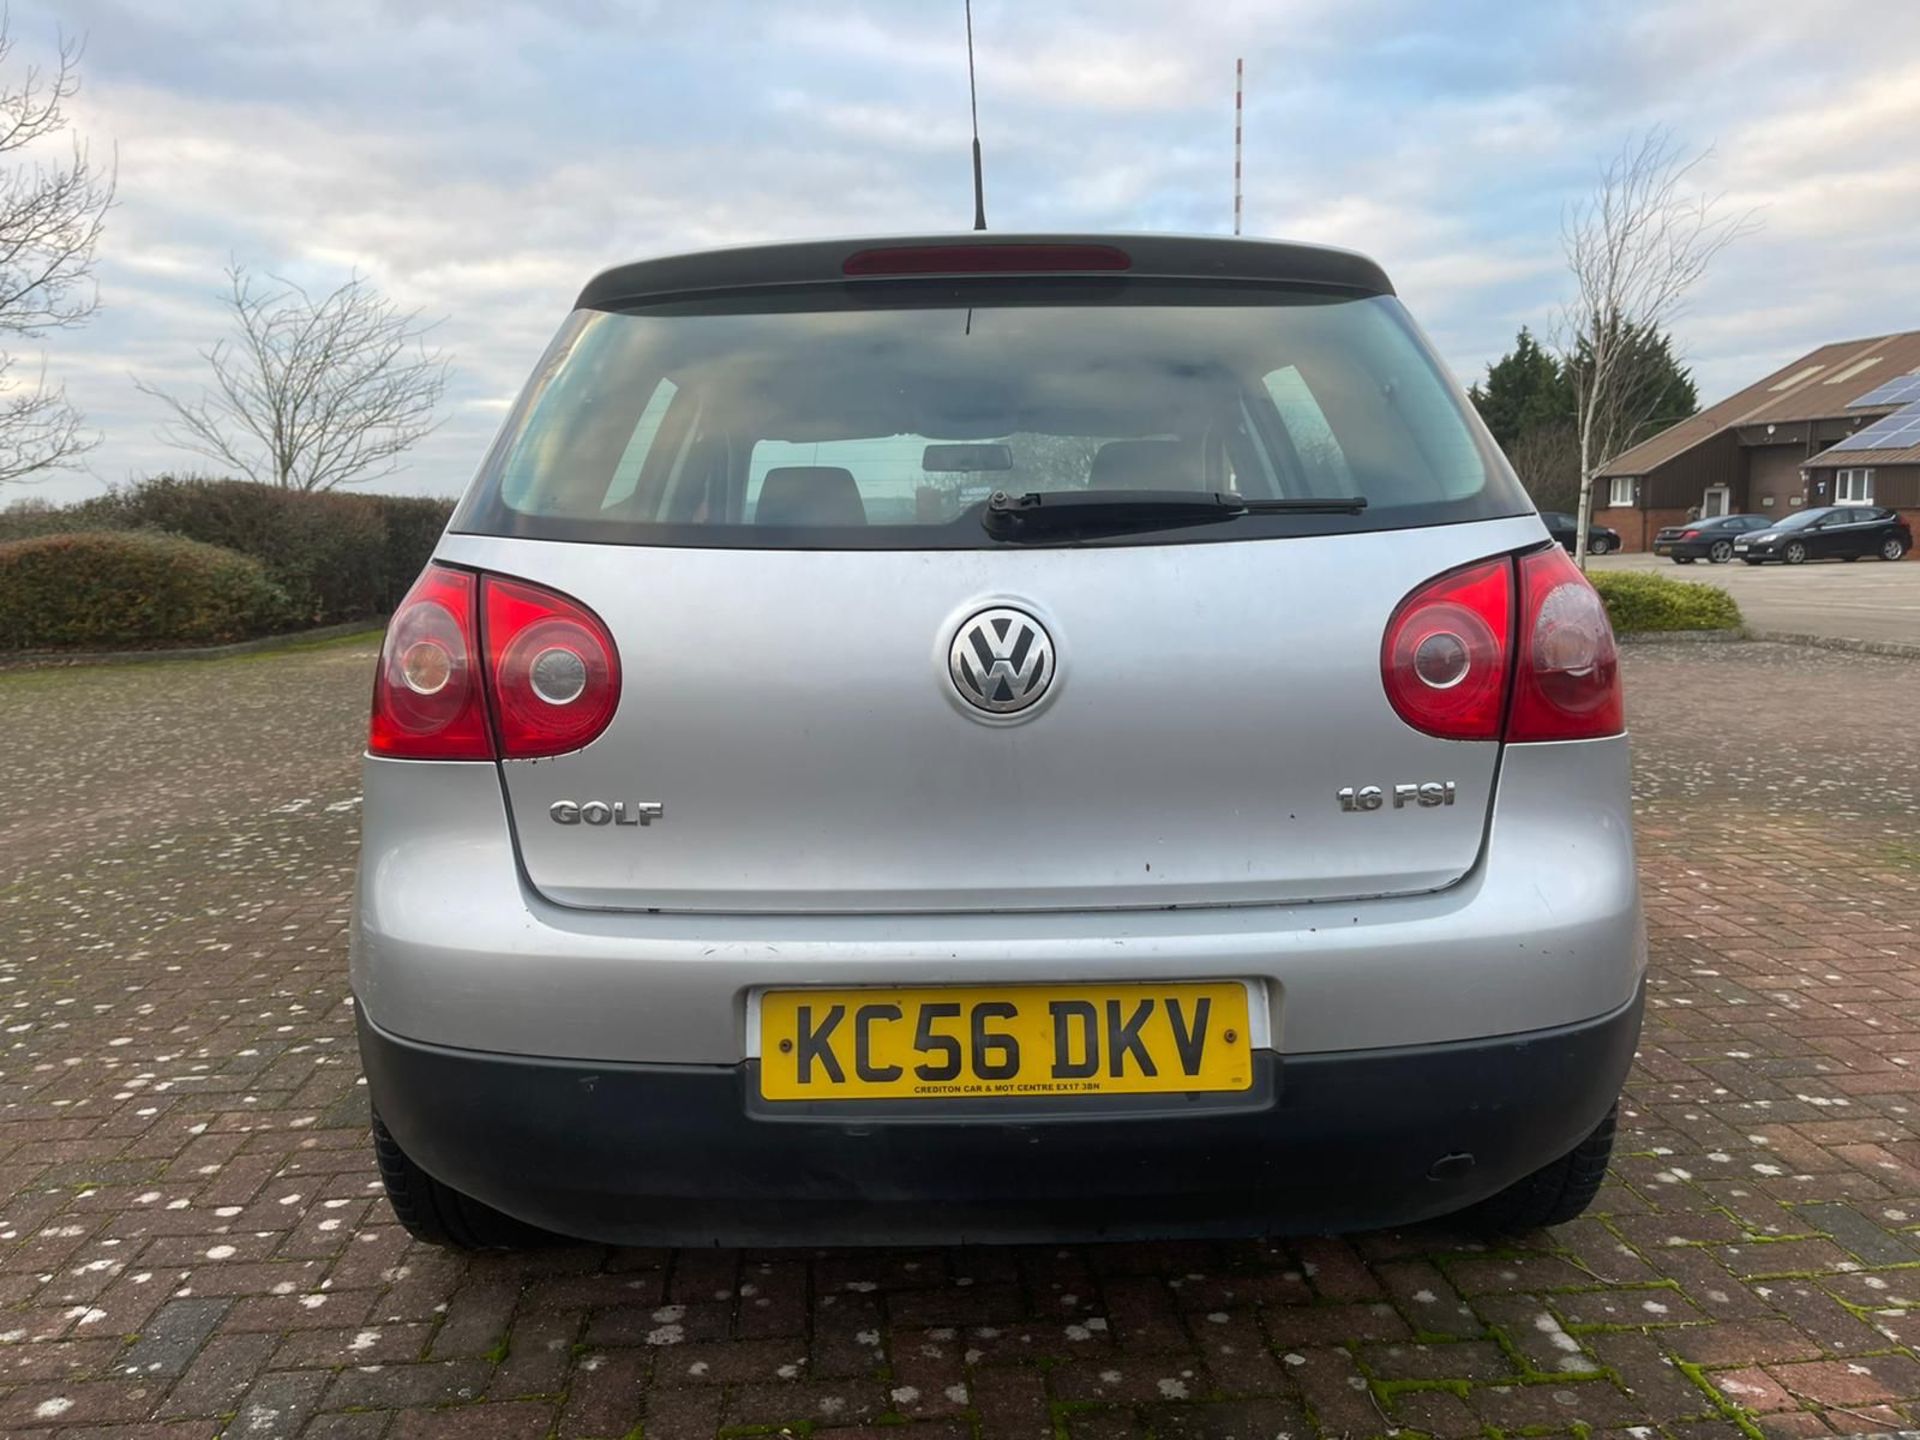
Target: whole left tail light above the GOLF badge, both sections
{"x": 479, "y": 667}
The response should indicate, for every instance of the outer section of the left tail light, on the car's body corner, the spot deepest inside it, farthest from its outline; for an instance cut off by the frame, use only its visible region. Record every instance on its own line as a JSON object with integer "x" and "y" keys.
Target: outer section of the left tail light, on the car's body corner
{"x": 427, "y": 700}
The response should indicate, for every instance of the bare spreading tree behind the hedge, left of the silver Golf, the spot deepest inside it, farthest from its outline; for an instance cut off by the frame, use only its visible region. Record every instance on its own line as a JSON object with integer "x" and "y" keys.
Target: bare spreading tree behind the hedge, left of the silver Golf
{"x": 312, "y": 395}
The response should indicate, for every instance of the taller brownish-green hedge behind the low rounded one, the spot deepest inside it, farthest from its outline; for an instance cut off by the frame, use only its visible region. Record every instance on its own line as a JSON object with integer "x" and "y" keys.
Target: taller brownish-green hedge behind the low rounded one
{"x": 337, "y": 556}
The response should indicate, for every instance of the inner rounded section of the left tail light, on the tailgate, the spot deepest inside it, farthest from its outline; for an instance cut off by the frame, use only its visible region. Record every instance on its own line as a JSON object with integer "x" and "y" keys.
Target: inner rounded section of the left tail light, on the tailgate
{"x": 552, "y": 665}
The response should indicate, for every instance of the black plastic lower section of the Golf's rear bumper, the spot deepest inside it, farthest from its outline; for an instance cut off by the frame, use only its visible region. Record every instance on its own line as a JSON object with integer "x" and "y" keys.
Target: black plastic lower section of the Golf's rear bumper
{"x": 673, "y": 1155}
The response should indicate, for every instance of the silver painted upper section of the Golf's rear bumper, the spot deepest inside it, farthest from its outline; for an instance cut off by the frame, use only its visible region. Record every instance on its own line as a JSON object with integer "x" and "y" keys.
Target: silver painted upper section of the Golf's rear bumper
{"x": 454, "y": 949}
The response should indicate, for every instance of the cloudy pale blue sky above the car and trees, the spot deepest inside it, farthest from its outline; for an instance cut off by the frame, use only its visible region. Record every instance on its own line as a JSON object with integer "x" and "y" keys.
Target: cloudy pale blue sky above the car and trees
{"x": 481, "y": 158}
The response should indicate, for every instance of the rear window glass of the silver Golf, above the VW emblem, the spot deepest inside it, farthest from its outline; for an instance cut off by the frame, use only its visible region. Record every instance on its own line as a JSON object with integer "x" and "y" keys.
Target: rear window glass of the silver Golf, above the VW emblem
{"x": 886, "y": 416}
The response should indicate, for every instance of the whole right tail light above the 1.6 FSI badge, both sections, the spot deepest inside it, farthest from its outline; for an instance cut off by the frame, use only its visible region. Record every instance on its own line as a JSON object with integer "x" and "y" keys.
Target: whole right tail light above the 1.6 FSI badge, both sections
{"x": 1510, "y": 650}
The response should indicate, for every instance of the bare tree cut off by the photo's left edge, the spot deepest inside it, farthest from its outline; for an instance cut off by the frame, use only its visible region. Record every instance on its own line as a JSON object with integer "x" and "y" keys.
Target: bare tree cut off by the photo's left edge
{"x": 51, "y": 220}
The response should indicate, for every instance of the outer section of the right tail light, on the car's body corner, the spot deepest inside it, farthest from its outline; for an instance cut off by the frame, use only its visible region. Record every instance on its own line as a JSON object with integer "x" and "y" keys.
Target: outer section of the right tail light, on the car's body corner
{"x": 1568, "y": 677}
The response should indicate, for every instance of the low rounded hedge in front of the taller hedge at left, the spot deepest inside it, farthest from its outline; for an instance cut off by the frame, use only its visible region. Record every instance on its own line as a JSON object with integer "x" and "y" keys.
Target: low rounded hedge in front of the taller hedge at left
{"x": 108, "y": 590}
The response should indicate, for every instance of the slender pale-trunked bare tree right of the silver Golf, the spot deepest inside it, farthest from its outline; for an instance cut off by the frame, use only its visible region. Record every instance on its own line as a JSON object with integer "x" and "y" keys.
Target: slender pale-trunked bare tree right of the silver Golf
{"x": 1635, "y": 249}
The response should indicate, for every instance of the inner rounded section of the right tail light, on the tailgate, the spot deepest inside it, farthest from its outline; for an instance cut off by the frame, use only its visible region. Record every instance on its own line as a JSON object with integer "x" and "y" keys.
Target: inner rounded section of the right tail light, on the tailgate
{"x": 1445, "y": 658}
